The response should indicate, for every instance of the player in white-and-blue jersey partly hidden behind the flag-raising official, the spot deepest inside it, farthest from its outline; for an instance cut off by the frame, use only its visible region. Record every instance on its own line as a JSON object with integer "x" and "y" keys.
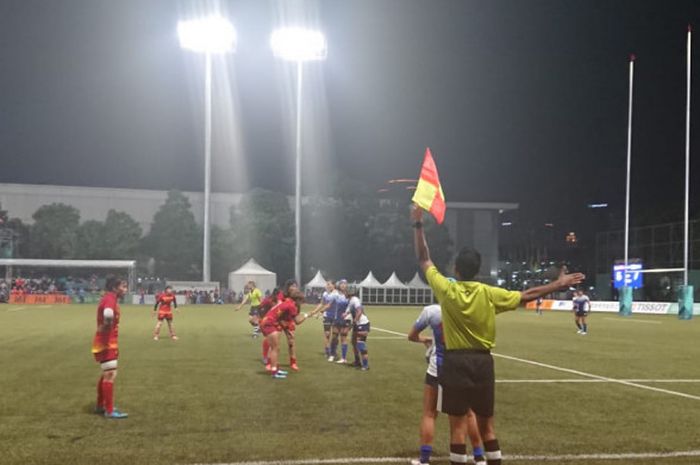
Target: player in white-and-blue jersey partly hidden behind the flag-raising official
{"x": 431, "y": 316}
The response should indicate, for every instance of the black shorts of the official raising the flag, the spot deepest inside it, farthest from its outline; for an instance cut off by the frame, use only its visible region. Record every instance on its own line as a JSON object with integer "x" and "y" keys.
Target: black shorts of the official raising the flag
{"x": 467, "y": 380}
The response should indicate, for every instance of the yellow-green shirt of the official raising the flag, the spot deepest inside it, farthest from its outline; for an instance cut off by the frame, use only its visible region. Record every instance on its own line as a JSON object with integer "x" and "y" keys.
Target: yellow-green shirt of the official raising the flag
{"x": 469, "y": 310}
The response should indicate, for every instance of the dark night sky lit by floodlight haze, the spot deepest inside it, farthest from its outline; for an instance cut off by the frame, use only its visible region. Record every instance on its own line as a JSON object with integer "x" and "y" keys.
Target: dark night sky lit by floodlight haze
{"x": 520, "y": 101}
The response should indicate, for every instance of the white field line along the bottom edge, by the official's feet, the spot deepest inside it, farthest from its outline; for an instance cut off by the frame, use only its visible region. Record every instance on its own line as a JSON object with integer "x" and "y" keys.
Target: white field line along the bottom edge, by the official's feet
{"x": 521, "y": 458}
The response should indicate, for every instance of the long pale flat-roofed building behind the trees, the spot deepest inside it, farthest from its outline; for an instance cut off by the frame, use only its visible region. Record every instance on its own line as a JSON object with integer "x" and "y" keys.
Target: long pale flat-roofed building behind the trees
{"x": 469, "y": 223}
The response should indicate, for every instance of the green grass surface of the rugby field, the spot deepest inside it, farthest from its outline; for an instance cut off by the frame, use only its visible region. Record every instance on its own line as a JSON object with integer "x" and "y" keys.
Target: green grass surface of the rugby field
{"x": 207, "y": 399}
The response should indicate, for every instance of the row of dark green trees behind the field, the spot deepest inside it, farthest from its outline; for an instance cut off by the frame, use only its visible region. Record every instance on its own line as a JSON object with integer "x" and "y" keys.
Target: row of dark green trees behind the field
{"x": 342, "y": 238}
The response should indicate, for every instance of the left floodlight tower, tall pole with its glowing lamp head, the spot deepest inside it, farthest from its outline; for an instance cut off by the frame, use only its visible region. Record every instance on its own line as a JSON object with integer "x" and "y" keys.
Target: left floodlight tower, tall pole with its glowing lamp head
{"x": 212, "y": 35}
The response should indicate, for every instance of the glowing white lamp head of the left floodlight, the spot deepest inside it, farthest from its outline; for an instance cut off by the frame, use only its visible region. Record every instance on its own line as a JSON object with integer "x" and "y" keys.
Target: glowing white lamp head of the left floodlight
{"x": 212, "y": 35}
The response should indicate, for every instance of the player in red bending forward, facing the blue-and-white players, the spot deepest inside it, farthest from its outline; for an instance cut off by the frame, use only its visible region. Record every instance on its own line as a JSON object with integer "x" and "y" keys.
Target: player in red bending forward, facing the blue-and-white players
{"x": 272, "y": 325}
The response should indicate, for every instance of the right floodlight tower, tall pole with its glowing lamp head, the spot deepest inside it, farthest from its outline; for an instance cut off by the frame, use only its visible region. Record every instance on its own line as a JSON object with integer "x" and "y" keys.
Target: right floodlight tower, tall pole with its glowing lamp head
{"x": 298, "y": 45}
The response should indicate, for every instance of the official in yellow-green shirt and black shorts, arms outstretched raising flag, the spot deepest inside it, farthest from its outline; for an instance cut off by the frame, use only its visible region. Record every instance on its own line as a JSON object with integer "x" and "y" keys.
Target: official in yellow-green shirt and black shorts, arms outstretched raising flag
{"x": 466, "y": 377}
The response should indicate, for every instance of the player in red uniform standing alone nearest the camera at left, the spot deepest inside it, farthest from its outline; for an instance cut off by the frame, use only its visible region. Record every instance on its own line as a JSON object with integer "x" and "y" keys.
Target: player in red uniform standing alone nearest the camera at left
{"x": 105, "y": 346}
